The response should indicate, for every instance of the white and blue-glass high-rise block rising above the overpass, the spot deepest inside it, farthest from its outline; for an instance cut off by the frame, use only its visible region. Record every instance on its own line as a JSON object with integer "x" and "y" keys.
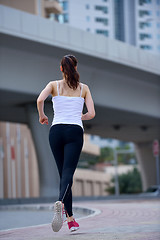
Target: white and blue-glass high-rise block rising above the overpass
{"x": 136, "y": 22}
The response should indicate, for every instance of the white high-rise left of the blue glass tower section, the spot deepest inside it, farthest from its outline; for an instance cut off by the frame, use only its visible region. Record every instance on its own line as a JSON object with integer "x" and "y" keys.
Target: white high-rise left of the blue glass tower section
{"x": 89, "y": 15}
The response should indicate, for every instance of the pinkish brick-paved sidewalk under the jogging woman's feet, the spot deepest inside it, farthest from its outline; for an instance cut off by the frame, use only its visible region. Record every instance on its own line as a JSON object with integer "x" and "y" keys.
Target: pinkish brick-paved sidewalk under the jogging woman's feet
{"x": 113, "y": 220}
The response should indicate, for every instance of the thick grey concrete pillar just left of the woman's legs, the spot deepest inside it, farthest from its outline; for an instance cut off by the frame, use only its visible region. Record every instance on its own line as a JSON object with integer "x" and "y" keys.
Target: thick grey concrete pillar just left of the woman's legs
{"x": 49, "y": 178}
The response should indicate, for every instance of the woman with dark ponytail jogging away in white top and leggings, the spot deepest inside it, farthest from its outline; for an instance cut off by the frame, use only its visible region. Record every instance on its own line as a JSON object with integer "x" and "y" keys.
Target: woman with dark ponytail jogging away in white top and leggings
{"x": 66, "y": 132}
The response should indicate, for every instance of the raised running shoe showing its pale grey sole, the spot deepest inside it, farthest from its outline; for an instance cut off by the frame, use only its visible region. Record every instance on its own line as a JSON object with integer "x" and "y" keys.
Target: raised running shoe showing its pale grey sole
{"x": 58, "y": 216}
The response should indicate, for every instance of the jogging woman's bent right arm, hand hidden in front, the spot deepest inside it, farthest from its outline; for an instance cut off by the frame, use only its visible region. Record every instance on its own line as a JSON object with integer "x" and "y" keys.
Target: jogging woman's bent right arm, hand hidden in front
{"x": 90, "y": 106}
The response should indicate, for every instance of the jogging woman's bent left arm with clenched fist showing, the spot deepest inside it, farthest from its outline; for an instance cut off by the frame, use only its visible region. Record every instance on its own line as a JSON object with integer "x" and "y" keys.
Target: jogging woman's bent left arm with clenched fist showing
{"x": 40, "y": 102}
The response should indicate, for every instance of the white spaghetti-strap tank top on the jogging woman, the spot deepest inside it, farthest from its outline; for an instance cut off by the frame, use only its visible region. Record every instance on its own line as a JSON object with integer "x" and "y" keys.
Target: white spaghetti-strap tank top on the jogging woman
{"x": 68, "y": 109}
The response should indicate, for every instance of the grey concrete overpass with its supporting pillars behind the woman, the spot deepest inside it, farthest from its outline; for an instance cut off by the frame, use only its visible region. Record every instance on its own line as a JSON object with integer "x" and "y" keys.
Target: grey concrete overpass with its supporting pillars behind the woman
{"x": 124, "y": 82}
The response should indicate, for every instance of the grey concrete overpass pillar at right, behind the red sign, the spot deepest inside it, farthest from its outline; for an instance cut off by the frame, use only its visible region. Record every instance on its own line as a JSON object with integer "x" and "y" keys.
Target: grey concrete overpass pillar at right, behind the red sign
{"x": 147, "y": 163}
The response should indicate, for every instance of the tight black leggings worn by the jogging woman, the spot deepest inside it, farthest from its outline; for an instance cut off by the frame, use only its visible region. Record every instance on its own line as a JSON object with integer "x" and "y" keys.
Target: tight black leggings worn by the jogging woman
{"x": 66, "y": 142}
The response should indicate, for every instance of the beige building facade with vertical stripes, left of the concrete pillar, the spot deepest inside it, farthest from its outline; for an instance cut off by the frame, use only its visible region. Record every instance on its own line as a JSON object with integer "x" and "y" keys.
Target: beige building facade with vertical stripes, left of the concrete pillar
{"x": 19, "y": 174}
